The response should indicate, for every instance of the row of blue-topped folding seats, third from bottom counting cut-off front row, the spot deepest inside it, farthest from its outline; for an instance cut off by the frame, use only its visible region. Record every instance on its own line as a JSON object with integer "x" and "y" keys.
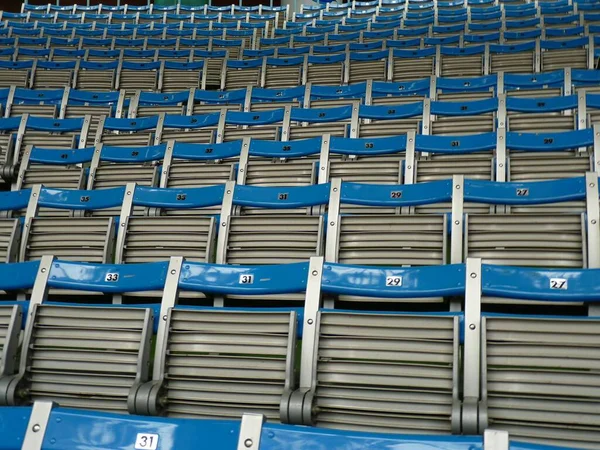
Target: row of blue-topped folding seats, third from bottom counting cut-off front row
{"x": 375, "y": 225}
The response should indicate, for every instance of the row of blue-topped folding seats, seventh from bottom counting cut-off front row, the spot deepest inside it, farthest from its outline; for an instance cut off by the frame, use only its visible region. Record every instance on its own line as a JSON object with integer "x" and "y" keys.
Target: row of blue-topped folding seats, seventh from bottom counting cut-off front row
{"x": 213, "y": 70}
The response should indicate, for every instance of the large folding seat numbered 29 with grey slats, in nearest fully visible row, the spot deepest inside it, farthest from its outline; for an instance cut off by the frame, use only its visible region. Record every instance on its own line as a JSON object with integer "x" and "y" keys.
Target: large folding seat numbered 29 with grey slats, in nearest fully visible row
{"x": 357, "y": 374}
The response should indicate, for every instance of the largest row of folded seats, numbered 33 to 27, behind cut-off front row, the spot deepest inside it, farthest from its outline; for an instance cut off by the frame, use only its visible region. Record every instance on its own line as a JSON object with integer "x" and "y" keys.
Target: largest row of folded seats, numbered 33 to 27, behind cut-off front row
{"x": 375, "y": 371}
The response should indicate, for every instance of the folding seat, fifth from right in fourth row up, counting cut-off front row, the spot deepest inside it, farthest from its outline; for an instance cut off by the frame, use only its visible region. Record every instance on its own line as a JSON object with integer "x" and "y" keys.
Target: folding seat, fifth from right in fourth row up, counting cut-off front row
{"x": 195, "y": 165}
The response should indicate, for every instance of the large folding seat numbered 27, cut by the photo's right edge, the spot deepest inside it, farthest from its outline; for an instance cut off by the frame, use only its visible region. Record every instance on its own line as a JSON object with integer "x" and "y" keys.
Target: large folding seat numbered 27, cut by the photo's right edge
{"x": 537, "y": 372}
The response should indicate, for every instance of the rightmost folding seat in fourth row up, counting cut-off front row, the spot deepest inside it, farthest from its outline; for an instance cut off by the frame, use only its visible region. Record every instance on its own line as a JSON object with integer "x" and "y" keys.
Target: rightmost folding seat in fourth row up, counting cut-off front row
{"x": 548, "y": 156}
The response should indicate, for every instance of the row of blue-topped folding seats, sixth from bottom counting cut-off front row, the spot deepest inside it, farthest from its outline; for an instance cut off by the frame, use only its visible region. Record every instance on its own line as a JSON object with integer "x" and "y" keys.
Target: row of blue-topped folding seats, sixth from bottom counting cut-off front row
{"x": 57, "y": 102}
